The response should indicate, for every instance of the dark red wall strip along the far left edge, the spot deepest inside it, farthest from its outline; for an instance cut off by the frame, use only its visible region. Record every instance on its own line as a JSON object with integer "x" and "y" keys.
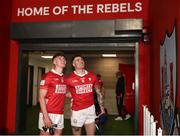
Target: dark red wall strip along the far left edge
{"x": 5, "y": 22}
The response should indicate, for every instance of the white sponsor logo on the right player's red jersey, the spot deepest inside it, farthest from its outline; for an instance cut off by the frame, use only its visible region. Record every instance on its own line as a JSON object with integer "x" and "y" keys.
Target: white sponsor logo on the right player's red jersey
{"x": 81, "y": 89}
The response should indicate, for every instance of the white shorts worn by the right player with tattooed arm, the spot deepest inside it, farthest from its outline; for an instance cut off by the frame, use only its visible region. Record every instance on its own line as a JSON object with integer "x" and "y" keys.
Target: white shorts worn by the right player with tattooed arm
{"x": 81, "y": 117}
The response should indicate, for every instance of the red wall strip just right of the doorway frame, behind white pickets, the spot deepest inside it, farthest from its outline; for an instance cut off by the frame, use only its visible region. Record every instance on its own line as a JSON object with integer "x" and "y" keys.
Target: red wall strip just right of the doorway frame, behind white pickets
{"x": 144, "y": 81}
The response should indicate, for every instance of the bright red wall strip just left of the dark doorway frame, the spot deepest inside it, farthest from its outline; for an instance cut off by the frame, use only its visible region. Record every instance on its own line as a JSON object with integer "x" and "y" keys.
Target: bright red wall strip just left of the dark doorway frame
{"x": 13, "y": 74}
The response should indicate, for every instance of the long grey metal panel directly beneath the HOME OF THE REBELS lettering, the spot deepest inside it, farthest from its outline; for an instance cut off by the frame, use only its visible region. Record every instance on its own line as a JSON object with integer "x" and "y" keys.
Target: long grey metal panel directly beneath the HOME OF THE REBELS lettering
{"x": 74, "y": 29}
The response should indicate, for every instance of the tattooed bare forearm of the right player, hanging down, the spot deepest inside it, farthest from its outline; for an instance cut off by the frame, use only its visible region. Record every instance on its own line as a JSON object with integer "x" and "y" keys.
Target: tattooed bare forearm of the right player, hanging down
{"x": 100, "y": 98}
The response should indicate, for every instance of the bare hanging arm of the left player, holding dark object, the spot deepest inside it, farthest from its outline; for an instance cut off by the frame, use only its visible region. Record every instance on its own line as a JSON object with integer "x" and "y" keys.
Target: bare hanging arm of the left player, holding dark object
{"x": 42, "y": 101}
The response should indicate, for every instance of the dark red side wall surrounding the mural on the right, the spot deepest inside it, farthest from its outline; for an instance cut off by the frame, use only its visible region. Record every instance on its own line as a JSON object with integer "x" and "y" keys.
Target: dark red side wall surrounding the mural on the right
{"x": 163, "y": 14}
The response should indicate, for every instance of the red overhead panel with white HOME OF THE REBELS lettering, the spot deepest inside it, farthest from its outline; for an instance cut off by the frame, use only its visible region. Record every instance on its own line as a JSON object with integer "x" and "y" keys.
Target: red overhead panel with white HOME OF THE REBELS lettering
{"x": 60, "y": 10}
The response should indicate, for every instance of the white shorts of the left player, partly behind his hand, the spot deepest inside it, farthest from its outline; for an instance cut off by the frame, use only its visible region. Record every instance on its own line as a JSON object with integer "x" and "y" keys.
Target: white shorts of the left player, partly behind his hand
{"x": 55, "y": 118}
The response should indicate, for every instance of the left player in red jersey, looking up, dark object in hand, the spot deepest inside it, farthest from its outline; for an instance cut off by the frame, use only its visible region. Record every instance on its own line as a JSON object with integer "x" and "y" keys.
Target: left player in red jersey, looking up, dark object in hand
{"x": 51, "y": 97}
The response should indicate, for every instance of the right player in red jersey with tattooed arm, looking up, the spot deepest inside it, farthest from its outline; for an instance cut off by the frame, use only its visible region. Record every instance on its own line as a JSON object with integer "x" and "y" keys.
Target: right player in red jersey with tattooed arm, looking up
{"x": 81, "y": 84}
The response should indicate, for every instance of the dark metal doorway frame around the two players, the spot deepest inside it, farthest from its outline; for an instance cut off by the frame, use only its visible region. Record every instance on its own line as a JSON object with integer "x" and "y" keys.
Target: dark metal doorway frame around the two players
{"x": 27, "y": 45}
